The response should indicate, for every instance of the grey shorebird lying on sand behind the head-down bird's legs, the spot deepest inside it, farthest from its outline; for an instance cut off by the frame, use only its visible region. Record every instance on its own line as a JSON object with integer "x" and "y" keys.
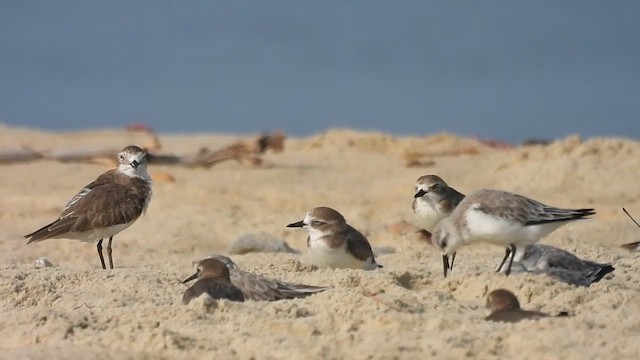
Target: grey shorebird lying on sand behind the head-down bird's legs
{"x": 559, "y": 264}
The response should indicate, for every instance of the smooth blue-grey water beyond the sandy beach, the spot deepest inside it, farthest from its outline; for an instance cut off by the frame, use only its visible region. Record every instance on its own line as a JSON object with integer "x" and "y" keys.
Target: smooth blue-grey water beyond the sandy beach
{"x": 507, "y": 70}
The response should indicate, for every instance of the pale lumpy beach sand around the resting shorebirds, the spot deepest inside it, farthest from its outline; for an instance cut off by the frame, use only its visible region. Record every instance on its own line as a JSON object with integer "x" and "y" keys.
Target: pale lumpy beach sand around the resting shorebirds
{"x": 78, "y": 310}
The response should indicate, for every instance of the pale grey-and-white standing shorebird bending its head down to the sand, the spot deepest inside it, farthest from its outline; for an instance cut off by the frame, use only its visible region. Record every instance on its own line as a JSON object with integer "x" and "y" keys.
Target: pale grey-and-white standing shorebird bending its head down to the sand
{"x": 500, "y": 218}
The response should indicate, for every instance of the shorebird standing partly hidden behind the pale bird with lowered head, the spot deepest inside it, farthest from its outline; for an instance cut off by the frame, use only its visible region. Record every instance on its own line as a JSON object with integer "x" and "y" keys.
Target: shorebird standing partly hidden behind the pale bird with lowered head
{"x": 433, "y": 201}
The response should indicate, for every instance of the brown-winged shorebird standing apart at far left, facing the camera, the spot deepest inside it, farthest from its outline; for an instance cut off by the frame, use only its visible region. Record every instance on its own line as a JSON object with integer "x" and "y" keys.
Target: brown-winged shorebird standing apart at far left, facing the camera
{"x": 105, "y": 207}
